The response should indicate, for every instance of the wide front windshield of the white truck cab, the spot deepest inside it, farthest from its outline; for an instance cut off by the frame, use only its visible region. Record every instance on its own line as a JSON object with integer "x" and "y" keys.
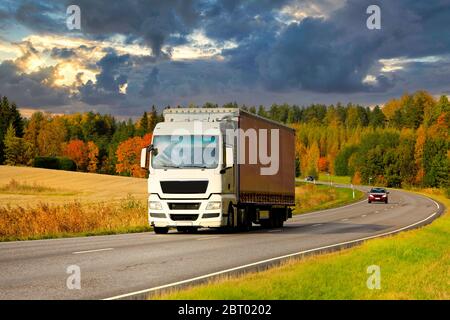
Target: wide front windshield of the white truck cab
{"x": 185, "y": 151}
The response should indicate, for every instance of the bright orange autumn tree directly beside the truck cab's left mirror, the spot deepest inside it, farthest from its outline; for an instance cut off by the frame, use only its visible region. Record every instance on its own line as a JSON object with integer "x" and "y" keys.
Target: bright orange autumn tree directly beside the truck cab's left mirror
{"x": 128, "y": 156}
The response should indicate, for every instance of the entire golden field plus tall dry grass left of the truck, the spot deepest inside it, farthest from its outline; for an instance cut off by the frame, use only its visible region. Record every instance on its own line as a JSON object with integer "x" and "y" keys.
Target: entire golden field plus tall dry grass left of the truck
{"x": 40, "y": 203}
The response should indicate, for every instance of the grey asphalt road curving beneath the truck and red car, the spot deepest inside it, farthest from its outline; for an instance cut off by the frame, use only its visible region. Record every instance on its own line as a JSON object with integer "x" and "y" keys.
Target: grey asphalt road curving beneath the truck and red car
{"x": 121, "y": 264}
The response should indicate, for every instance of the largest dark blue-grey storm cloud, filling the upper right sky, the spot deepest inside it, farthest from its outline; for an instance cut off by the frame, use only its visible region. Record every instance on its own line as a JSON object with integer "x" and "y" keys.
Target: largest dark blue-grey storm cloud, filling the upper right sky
{"x": 335, "y": 54}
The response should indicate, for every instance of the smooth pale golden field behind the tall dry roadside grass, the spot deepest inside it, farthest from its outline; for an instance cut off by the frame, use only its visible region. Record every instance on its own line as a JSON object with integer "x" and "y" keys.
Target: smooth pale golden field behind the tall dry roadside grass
{"x": 59, "y": 187}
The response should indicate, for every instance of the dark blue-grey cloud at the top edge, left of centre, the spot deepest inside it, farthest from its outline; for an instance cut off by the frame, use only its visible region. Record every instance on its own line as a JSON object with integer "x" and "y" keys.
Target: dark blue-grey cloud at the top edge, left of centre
{"x": 150, "y": 22}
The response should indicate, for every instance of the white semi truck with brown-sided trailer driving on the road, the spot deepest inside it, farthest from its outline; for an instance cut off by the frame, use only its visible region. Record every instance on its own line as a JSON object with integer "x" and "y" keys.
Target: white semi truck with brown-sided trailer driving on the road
{"x": 219, "y": 168}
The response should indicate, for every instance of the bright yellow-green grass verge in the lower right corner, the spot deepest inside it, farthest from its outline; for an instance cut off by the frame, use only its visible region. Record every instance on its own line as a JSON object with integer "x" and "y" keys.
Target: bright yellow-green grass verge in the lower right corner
{"x": 413, "y": 264}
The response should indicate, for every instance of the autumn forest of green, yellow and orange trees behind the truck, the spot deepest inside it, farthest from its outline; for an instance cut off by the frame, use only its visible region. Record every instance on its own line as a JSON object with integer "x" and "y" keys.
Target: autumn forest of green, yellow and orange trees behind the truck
{"x": 403, "y": 143}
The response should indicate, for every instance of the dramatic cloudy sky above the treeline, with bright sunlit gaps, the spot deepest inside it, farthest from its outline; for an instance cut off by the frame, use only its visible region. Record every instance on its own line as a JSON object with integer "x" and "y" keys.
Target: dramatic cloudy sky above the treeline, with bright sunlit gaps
{"x": 130, "y": 55}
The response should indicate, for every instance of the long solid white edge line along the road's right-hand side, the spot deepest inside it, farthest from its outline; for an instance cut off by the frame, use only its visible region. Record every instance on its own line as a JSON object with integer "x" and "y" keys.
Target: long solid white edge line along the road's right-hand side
{"x": 206, "y": 276}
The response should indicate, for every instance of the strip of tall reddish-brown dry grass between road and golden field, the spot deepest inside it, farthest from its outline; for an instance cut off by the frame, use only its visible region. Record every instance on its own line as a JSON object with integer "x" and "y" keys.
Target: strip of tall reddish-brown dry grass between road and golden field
{"x": 46, "y": 221}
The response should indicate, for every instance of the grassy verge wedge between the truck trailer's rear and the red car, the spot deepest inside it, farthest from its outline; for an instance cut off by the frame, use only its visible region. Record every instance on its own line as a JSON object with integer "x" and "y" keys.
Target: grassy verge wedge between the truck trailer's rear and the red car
{"x": 313, "y": 197}
